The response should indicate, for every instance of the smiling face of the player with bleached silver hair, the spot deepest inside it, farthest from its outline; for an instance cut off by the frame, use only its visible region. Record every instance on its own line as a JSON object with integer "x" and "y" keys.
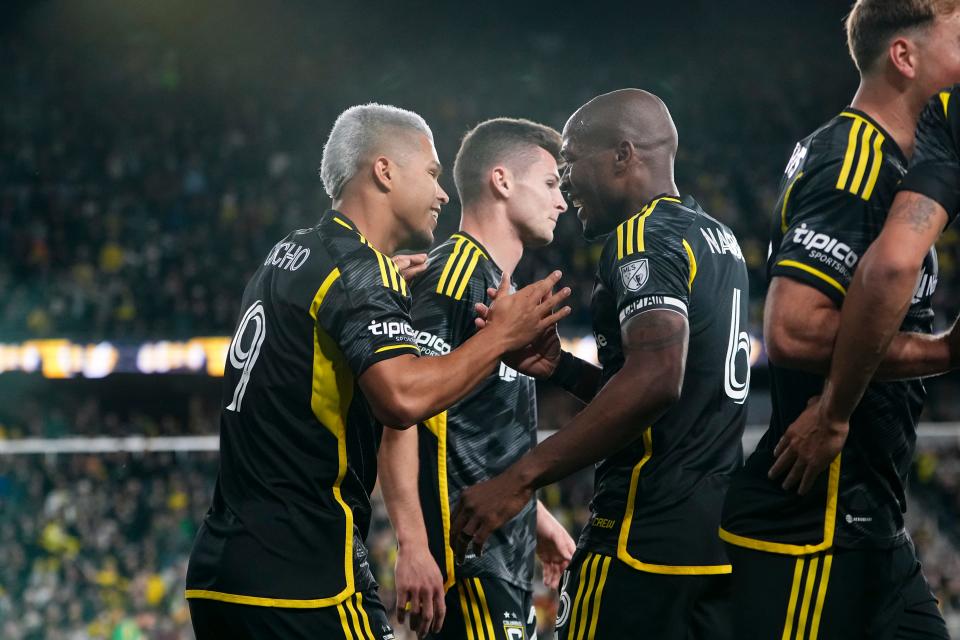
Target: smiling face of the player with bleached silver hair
{"x": 418, "y": 197}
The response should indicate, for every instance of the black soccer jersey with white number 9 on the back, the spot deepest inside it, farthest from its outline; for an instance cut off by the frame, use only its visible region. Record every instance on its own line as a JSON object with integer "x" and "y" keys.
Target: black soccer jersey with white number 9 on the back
{"x": 298, "y": 440}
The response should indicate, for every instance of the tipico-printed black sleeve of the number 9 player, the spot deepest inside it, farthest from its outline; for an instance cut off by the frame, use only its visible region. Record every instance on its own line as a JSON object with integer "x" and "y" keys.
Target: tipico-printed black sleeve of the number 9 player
{"x": 369, "y": 320}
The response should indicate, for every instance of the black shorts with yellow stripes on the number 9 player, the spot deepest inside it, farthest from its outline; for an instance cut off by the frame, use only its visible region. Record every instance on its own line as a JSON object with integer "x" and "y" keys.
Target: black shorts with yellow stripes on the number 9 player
{"x": 359, "y": 617}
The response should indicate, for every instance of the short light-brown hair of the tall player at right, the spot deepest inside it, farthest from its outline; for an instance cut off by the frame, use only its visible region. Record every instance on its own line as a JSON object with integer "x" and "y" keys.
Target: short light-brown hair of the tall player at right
{"x": 872, "y": 23}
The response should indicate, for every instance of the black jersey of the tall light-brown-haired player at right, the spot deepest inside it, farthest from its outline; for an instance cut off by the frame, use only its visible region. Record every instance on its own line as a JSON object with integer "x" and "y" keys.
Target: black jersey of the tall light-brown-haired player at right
{"x": 834, "y": 197}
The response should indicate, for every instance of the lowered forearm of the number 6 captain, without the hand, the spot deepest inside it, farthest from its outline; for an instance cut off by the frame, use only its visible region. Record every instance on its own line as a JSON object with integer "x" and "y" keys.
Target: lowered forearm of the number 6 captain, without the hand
{"x": 616, "y": 417}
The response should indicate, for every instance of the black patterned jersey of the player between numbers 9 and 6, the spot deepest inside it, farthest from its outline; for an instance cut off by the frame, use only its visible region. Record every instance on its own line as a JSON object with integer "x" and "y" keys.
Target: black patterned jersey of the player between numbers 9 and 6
{"x": 481, "y": 435}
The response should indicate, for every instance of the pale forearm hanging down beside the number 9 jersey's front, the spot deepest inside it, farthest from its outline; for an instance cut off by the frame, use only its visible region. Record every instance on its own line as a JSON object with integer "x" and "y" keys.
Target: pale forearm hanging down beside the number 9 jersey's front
{"x": 399, "y": 482}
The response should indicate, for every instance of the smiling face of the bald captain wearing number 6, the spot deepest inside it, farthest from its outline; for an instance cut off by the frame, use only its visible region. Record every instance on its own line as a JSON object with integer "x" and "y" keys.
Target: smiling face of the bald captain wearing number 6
{"x": 588, "y": 180}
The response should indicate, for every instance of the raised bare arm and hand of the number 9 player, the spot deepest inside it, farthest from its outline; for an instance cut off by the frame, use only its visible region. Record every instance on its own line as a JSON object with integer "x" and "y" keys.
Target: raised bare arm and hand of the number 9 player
{"x": 406, "y": 389}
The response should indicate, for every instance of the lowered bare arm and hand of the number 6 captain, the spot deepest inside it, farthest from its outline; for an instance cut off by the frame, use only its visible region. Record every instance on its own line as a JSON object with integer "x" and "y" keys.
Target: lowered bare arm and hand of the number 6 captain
{"x": 655, "y": 348}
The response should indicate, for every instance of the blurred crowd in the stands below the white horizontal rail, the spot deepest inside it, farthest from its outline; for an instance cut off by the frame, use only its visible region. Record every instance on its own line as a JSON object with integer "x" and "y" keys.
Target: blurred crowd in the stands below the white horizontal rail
{"x": 94, "y": 546}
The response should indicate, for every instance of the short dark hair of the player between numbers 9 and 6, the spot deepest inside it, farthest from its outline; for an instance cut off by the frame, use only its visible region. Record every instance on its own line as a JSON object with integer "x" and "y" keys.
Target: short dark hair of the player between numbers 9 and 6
{"x": 495, "y": 141}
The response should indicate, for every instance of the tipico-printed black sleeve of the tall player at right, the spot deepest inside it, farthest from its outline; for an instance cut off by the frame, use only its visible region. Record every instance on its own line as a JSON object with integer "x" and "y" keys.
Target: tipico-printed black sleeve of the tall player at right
{"x": 826, "y": 232}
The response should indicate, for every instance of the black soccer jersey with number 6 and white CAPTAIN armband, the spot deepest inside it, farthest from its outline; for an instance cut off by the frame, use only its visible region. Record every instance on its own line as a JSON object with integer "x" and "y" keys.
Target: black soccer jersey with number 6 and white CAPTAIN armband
{"x": 657, "y": 502}
